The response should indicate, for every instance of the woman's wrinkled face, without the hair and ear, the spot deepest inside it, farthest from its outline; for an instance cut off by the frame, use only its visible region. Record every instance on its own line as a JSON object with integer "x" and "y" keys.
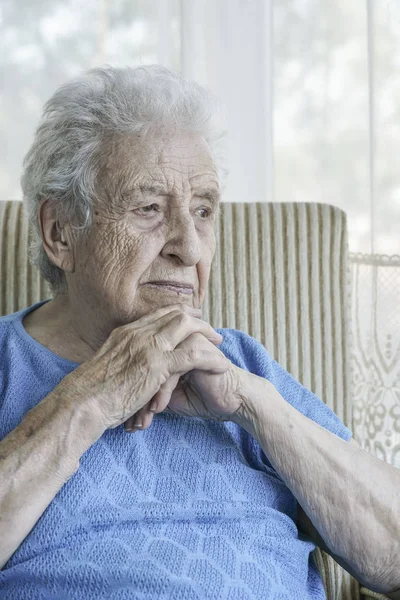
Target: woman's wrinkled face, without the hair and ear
{"x": 152, "y": 240}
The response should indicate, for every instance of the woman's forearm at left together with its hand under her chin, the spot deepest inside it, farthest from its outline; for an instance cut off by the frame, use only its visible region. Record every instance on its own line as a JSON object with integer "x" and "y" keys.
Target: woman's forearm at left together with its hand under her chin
{"x": 43, "y": 452}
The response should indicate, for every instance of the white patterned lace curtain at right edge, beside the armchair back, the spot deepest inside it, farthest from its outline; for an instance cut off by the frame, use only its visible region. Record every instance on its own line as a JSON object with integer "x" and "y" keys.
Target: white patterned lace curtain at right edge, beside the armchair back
{"x": 376, "y": 353}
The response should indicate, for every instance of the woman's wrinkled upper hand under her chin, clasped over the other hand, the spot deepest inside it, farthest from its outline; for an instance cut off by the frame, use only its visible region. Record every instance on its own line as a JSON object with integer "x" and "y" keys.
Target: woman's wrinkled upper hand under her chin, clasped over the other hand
{"x": 143, "y": 360}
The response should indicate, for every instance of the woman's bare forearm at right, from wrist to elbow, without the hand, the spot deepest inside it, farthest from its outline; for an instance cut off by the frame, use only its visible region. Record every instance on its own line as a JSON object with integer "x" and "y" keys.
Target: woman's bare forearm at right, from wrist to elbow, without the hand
{"x": 351, "y": 497}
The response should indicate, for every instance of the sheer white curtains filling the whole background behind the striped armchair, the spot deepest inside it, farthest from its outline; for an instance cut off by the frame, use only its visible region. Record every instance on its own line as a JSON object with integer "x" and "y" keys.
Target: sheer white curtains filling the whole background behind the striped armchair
{"x": 311, "y": 95}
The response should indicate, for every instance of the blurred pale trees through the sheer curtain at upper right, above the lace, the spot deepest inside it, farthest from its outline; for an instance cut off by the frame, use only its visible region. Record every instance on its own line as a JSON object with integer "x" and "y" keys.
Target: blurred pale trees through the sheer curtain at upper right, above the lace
{"x": 322, "y": 113}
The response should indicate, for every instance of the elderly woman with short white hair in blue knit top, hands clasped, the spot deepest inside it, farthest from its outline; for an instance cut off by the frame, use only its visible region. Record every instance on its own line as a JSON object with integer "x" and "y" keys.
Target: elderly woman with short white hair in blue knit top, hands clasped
{"x": 122, "y": 188}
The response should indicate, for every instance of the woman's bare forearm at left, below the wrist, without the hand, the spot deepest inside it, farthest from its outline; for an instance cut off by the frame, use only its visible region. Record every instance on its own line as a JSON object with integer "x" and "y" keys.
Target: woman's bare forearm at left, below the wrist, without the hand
{"x": 36, "y": 459}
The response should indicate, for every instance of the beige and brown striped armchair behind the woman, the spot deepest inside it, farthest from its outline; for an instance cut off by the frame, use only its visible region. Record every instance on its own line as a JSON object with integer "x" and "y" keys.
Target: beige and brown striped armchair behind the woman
{"x": 280, "y": 273}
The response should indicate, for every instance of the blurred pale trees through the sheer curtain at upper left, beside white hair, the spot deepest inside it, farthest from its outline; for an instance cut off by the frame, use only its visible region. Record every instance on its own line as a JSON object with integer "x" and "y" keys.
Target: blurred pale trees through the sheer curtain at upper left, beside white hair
{"x": 46, "y": 42}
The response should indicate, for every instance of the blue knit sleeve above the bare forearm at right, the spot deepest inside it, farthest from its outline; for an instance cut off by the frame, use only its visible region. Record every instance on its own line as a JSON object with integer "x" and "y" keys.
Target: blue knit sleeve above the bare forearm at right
{"x": 247, "y": 353}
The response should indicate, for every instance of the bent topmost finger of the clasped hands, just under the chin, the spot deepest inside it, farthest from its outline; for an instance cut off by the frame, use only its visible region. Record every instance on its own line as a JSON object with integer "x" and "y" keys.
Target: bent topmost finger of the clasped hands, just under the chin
{"x": 180, "y": 327}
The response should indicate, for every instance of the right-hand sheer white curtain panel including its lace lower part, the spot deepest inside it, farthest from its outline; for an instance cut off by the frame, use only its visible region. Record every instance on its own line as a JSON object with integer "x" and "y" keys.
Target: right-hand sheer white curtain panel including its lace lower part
{"x": 336, "y": 92}
